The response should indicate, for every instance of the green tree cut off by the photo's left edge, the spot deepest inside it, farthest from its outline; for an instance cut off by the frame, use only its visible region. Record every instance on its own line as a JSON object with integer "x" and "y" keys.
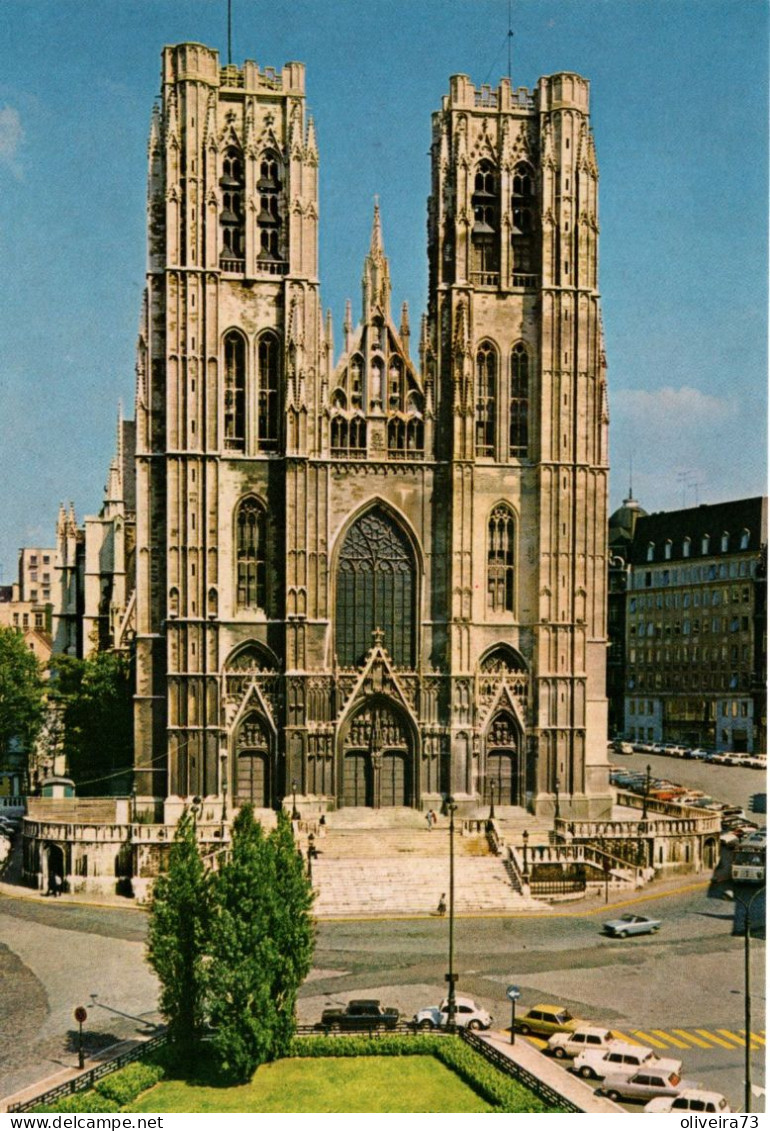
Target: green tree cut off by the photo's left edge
{"x": 22, "y": 696}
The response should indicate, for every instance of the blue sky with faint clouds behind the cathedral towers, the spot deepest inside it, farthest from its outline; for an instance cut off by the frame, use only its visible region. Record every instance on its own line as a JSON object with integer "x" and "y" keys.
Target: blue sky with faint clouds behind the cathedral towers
{"x": 679, "y": 108}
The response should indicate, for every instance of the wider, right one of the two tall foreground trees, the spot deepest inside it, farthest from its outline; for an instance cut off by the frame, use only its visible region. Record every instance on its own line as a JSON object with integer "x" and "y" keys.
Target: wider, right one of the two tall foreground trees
{"x": 262, "y": 946}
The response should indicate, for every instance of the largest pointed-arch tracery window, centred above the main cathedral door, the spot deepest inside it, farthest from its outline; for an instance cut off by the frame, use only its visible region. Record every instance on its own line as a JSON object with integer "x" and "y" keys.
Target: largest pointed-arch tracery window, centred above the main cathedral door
{"x": 376, "y": 590}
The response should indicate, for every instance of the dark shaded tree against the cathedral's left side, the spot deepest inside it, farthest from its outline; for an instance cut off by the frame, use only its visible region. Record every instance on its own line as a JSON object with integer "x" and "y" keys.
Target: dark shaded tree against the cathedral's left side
{"x": 97, "y": 698}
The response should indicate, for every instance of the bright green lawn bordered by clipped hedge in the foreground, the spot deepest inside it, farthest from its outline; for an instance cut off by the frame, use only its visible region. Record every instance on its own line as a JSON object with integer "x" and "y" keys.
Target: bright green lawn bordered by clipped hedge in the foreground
{"x": 367, "y": 1084}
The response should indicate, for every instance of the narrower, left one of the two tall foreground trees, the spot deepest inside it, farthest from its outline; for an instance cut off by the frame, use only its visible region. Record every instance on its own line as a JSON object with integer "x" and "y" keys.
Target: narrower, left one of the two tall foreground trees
{"x": 178, "y": 938}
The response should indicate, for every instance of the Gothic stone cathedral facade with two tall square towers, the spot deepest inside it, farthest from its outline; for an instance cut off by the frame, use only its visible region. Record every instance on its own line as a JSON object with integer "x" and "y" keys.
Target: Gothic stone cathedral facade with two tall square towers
{"x": 374, "y": 577}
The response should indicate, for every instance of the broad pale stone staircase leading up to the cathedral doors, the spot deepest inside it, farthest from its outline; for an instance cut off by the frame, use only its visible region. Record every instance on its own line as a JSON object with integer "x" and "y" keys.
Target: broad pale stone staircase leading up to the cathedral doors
{"x": 388, "y": 862}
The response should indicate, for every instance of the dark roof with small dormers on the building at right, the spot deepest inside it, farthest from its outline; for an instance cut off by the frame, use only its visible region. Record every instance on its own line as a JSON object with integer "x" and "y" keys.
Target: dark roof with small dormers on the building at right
{"x": 715, "y": 520}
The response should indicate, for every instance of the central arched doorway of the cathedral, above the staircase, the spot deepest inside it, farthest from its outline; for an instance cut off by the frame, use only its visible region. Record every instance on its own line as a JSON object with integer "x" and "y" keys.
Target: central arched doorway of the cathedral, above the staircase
{"x": 378, "y": 758}
